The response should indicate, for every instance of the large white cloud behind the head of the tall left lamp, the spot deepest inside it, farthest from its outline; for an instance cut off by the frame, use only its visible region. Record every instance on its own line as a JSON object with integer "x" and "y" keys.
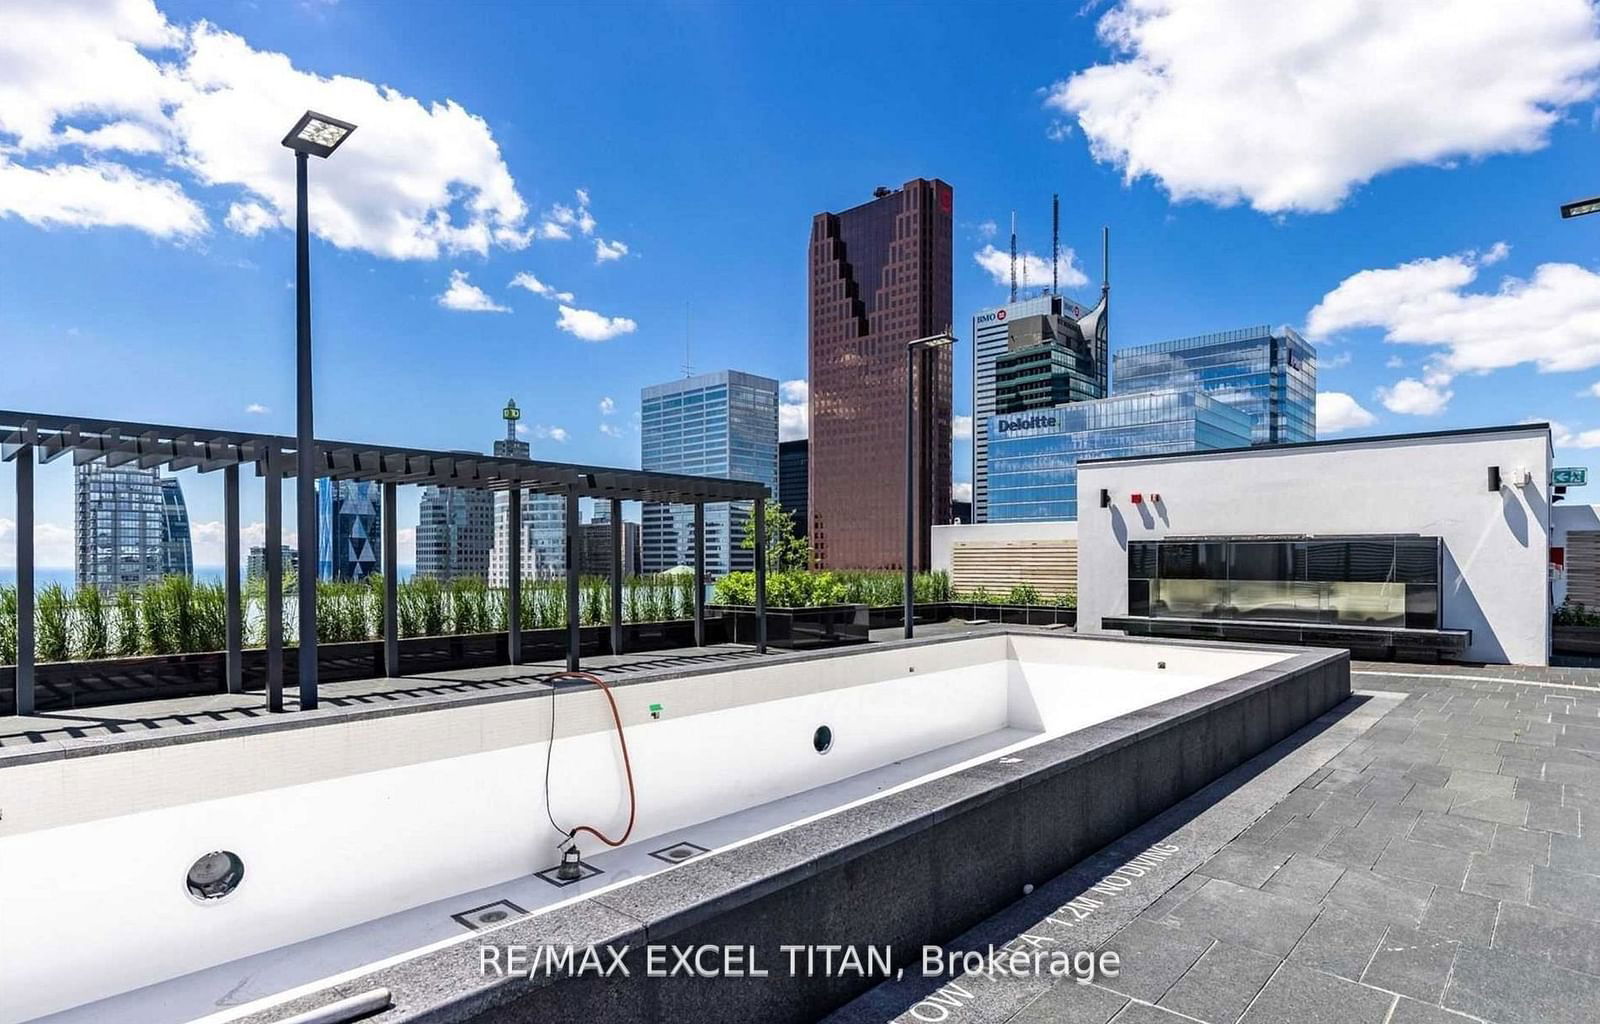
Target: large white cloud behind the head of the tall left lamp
{"x": 202, "y": 108}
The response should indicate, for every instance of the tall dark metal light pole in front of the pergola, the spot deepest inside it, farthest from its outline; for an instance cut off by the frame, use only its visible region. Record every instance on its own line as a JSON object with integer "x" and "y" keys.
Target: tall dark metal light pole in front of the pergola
{"x": 314, "y": 135}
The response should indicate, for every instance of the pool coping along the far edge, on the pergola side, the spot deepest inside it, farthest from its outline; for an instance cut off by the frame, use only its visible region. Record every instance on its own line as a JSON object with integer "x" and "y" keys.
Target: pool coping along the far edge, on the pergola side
{"x": 202, "y": 732}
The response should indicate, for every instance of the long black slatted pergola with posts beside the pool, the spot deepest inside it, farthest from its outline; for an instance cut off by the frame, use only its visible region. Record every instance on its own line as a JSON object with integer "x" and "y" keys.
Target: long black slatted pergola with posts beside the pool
{"x": 26, "y": 438}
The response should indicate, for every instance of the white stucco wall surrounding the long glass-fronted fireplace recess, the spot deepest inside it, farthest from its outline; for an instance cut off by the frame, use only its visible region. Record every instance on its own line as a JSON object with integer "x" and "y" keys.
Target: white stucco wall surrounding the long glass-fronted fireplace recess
{"x": 1497, "y": 546}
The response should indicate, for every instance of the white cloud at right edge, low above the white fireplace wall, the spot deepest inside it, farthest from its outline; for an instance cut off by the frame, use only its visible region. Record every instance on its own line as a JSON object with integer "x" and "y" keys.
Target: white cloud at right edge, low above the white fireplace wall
{"x": 1551, "y": 321}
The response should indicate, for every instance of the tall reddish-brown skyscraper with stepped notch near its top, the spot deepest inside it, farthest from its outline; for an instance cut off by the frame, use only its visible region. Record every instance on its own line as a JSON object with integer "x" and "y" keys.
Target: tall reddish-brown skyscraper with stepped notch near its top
{"x": 879, "y": 279}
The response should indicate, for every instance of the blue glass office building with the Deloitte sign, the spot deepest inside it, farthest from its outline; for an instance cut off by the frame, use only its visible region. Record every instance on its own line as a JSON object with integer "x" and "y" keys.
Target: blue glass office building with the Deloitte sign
{"x": 1034, "y": 457}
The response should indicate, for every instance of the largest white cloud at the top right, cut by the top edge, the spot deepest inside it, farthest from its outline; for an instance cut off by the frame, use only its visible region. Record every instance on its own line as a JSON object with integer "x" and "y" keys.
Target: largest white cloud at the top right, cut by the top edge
{"x": 1290, "y": 106}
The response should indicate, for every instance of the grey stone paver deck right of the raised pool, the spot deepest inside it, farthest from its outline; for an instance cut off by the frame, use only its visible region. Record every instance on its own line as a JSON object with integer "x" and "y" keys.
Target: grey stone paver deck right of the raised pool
{"x": 1444, "y": 866}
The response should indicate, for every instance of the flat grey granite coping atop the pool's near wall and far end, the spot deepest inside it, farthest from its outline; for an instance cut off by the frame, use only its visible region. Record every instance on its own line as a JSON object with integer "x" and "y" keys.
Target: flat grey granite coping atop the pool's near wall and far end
{"x": 447, "y": 986}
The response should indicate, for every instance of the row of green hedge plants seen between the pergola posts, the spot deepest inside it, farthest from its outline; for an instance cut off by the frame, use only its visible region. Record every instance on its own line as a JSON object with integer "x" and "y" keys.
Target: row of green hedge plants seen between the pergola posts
{"x": 180, "y": 617}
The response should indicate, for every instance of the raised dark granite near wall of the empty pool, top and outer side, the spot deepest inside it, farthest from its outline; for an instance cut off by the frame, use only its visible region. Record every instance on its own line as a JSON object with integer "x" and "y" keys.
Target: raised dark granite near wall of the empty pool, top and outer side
{"x": 910, "y": 870}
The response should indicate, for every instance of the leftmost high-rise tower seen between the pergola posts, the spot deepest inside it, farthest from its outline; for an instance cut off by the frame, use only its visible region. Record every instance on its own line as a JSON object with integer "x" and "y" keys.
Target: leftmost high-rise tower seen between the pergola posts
{"x": 121, "y": 526}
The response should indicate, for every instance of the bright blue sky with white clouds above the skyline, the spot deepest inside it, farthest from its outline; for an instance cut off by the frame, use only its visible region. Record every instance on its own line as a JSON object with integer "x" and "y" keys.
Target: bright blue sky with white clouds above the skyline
{"x": 1279, "y": 172}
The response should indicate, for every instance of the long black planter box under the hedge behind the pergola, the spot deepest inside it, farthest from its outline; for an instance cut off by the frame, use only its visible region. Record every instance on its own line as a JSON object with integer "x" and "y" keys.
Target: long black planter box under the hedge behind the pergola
{"x": 65, "y": 686}
